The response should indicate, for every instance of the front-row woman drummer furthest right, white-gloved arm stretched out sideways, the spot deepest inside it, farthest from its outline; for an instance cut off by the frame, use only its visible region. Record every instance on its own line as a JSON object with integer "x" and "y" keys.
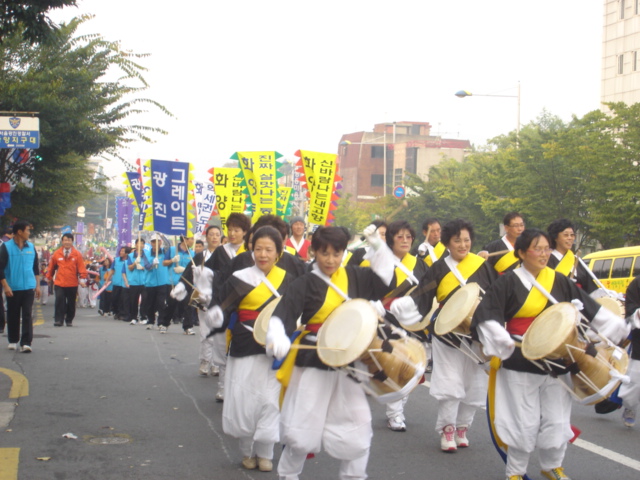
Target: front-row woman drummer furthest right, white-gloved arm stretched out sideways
{"x": 531, "y": 406}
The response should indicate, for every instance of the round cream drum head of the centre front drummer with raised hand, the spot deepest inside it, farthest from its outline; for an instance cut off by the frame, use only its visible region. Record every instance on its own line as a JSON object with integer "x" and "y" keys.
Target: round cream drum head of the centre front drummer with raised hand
{"x": 351, "y": 328}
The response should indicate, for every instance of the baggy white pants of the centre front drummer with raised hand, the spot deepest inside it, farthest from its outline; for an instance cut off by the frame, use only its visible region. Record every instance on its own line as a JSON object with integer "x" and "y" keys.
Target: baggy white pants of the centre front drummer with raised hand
{"x": 324, "y": 409}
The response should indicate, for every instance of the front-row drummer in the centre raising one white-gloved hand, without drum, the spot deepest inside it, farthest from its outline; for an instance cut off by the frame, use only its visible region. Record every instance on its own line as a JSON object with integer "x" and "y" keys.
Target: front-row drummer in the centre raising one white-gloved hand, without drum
{"x": 323, "y": 407}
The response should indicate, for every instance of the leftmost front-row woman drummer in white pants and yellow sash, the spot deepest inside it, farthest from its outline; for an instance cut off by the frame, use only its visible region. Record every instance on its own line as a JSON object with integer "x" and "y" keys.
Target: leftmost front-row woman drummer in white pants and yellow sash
{"x": 251, "y": 410}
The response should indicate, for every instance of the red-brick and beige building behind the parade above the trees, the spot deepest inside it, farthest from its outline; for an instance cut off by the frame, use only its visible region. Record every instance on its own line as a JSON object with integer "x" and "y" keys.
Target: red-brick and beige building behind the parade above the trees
{"x": 370, "y": 160}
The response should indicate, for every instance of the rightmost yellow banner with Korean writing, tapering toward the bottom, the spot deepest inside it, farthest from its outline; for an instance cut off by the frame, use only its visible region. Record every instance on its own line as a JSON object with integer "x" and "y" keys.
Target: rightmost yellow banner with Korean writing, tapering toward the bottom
{"x": 320, "y": 171}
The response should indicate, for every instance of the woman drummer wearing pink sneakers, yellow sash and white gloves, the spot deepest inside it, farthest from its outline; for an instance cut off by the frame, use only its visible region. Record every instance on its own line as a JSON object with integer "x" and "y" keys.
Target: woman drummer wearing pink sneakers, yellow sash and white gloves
{"x": 457, "y": 382}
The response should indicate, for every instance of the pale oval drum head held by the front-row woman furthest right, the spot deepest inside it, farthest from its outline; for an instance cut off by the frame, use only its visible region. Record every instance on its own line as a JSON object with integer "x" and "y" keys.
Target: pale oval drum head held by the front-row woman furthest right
{"x": 549, "y": 331}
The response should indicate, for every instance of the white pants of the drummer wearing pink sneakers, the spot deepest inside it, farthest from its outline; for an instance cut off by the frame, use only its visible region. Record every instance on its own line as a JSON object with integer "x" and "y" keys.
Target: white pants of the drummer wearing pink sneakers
{"x": 459, "y": 385}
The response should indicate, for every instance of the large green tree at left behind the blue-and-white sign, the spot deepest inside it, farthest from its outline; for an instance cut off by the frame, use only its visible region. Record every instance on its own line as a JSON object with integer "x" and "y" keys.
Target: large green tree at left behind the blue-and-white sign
{"x": 82, "y": 114}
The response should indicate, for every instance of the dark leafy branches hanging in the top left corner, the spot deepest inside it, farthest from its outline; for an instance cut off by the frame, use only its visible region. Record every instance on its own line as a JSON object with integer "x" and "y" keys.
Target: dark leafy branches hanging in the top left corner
{"x": 30, "y": 18}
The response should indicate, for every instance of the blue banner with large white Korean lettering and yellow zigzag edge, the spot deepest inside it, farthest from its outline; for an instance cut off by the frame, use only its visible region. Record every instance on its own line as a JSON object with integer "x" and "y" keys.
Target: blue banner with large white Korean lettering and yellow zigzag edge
{"x": 169, "y": 195}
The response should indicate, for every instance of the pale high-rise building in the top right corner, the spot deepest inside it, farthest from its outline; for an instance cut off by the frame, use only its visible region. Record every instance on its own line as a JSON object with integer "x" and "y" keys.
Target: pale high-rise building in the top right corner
{"x": 621, "y": 52}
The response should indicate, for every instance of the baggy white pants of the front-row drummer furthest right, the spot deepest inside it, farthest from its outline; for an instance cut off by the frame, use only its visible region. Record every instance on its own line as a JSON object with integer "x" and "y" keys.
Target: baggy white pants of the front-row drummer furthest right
{"x": 532, "y": 410}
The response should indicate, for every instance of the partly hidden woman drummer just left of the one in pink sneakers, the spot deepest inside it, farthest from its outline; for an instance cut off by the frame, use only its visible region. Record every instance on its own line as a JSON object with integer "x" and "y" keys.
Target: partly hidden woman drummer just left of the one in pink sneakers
{"x": 407, "y": 274}
